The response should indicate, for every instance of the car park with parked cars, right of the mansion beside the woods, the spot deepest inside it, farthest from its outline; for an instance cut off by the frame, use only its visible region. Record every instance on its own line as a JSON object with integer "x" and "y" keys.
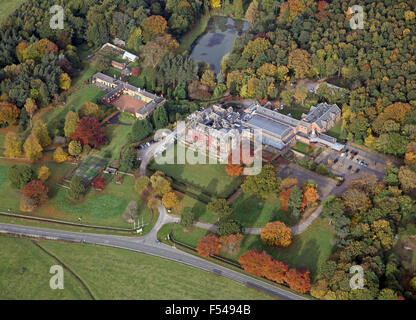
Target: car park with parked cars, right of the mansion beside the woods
{"x": 352, "y": 161}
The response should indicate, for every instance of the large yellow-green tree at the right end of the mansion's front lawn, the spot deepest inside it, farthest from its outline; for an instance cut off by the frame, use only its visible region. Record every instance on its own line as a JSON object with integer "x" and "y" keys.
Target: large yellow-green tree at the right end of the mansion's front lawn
{"x": 262, "y": 185}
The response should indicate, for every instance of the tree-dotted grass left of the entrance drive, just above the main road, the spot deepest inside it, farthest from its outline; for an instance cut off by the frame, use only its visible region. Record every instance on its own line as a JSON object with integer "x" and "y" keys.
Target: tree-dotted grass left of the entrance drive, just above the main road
{"x": 100, "y": 208}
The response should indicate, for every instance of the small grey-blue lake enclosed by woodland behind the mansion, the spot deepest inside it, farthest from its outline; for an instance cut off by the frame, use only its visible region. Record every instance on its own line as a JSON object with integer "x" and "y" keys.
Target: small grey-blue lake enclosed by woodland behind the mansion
{"x": 218, "y": 40}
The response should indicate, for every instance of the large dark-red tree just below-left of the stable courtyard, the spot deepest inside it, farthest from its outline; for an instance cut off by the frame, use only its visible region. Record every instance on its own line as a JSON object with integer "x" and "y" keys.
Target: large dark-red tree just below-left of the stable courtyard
{"x": 89, "y": 132}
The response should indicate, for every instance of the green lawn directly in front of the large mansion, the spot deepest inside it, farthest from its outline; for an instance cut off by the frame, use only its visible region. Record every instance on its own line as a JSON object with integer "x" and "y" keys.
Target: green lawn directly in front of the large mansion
{"x": 210, "y": 179}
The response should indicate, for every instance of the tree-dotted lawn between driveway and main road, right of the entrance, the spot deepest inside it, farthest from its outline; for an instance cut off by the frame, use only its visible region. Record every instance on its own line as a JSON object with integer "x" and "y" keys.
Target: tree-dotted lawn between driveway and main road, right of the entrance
{"x": 308, "y": 250}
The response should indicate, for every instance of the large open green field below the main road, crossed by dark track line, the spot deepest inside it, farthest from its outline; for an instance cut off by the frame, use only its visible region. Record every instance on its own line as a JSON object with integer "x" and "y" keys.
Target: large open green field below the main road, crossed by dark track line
{"x": 108, "y": 273}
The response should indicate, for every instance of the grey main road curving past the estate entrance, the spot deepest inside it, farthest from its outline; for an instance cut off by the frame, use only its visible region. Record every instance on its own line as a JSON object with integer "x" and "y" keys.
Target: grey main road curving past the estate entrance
{"x": 156, "y": 249}
